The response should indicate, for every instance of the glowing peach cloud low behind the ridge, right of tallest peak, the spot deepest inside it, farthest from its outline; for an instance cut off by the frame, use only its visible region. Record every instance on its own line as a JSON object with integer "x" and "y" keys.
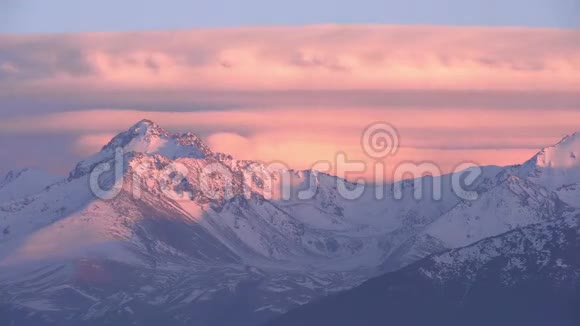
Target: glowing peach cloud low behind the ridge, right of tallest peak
{"x": 306, "y": 151}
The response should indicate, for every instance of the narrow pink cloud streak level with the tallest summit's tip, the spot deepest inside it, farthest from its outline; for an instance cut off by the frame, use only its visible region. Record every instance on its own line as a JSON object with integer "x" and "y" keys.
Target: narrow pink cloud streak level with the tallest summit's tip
{"x": 303, "y": 122}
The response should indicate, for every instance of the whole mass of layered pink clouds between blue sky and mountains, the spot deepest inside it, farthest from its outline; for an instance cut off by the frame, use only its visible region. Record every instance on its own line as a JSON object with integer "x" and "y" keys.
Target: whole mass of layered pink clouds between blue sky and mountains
{"x": 336, "y": 74}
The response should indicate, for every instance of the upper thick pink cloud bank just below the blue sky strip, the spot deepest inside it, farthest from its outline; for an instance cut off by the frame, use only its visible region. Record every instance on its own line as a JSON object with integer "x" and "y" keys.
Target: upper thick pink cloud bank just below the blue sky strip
{"x": 315, "y": 58}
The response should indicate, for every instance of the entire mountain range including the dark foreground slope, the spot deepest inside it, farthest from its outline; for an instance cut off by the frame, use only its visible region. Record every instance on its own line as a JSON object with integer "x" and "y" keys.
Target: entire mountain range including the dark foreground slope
{"x": 188, "y": 234}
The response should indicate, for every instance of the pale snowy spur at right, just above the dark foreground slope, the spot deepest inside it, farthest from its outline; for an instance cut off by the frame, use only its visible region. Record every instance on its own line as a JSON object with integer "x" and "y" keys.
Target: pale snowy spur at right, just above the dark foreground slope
{"x": 510, "y": 203}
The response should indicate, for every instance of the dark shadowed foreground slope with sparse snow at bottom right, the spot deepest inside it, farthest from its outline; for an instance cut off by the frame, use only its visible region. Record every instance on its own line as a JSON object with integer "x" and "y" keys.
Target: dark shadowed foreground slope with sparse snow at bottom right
{"x": 528, "y": 276}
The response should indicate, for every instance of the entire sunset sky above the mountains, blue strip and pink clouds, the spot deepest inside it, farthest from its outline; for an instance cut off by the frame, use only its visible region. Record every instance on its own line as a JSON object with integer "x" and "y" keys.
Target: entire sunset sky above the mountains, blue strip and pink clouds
{"x": 492, "y": 91}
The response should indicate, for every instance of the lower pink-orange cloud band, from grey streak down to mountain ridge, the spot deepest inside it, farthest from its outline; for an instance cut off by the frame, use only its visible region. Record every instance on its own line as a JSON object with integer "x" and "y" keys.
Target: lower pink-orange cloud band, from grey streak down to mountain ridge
{"x": 302, "y": 137}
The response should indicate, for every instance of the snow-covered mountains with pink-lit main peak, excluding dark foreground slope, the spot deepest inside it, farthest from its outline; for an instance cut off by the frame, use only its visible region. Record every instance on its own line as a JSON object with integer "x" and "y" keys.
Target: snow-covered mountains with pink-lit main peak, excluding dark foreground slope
{"x": 185, "y": 232}
